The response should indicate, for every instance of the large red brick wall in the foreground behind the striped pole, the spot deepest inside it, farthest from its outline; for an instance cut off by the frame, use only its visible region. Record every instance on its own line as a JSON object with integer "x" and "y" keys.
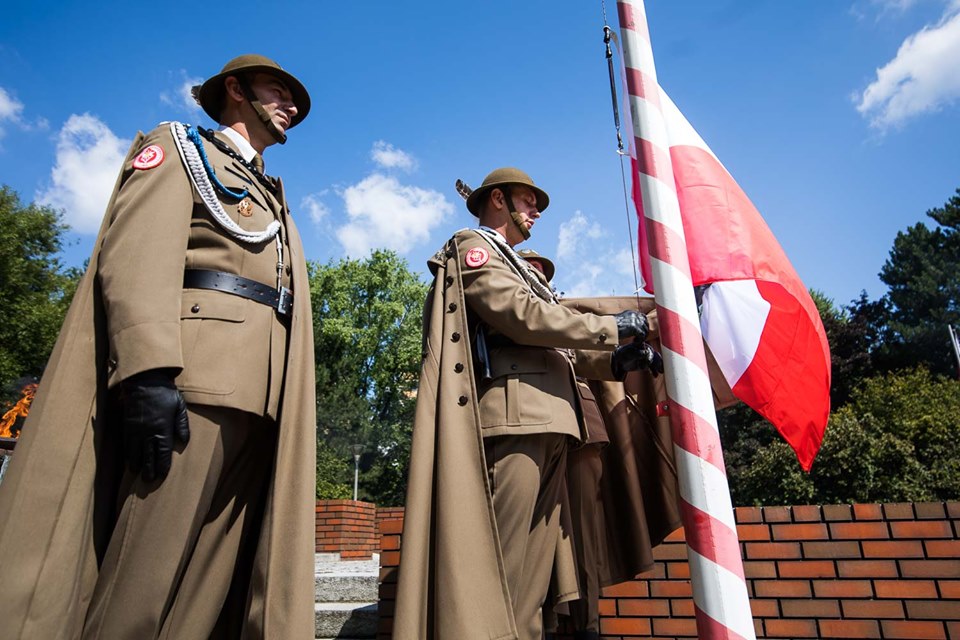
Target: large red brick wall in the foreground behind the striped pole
{"x": 888, "y": 571}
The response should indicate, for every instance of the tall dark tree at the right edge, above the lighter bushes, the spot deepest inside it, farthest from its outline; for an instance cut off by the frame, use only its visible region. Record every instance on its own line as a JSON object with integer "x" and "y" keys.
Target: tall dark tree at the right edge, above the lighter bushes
{"x": 923, "y": 276}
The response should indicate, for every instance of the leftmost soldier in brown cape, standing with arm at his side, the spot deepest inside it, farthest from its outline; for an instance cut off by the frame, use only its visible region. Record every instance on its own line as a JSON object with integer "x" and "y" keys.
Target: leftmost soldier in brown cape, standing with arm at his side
{"x": 164, "y": 484}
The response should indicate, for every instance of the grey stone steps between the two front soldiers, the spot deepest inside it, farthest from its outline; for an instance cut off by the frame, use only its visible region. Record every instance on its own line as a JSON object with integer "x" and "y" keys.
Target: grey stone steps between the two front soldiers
{"x": 346, "y": 597}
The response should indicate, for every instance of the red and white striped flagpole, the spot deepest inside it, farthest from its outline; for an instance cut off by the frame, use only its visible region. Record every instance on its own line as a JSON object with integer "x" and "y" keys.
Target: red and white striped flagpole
{"x": 716, "y": 570}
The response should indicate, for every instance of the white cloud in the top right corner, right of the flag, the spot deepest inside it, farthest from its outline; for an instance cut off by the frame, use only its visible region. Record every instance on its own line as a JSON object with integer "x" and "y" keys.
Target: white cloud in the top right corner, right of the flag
{"x": 921, "y": 78}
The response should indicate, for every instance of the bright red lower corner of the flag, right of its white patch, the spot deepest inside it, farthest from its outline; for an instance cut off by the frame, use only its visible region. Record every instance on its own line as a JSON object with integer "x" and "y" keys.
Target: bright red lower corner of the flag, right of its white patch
{"x": 788, "y": 381}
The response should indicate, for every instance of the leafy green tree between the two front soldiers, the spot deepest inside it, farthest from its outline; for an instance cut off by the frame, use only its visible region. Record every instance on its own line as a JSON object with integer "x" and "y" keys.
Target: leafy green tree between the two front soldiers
{"x": 367, "y": 331}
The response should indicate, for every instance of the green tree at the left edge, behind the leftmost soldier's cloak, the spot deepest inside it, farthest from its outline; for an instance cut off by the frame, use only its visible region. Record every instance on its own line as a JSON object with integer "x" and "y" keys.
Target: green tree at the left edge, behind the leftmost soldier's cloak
{"x": 36, "y": 289}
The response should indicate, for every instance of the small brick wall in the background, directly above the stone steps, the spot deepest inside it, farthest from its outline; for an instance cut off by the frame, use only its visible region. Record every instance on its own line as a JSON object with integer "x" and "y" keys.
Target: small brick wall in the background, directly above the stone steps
{"x": 347, "y": 527}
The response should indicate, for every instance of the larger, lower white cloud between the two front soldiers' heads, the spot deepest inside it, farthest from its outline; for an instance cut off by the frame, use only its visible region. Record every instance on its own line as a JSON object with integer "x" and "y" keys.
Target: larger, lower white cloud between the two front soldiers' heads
{"x": 385, "y": 214}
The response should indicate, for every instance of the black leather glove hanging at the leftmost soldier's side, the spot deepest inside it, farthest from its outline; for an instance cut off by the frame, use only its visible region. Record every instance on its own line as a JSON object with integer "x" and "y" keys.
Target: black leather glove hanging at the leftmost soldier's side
{"x": 153, "y": 414}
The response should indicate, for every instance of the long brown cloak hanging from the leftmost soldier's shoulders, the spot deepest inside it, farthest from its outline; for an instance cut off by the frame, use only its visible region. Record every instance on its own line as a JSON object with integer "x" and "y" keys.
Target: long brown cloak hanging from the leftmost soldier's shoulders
{"x": 56, "y": 499}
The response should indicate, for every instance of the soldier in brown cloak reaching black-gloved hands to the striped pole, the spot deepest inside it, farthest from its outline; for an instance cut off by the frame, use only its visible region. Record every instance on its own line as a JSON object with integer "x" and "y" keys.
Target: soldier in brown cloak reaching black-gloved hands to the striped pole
{"x": 497, "y": 406}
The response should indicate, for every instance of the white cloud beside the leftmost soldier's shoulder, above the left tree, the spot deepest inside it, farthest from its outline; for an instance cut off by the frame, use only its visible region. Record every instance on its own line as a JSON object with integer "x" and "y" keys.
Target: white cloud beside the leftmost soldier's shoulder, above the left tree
{"x": 89, "y": 156}
